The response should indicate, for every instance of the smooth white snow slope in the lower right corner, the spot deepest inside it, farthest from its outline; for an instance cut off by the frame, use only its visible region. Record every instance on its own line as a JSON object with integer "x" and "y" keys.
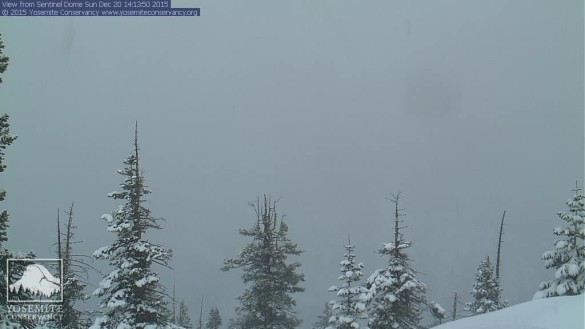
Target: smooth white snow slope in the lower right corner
{"x": 548, "y": 313}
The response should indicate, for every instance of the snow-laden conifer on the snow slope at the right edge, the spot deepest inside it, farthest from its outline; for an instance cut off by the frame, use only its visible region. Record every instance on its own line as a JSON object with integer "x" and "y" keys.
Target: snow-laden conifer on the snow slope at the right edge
{"x": 568, "y": 257}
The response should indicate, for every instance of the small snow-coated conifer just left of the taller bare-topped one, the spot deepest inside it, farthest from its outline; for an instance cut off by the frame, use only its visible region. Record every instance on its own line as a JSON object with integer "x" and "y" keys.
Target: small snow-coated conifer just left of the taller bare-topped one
{"x": 349, "y": 307}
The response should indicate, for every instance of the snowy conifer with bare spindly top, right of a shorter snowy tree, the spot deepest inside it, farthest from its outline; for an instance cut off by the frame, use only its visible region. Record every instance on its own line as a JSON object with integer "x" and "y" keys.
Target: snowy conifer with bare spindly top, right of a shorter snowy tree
{"x": 395, "y": 298}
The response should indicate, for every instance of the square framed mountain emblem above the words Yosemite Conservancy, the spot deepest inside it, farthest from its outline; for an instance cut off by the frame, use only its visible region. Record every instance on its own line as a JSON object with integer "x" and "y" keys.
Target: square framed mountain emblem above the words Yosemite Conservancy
{"x": 34, "y": 280}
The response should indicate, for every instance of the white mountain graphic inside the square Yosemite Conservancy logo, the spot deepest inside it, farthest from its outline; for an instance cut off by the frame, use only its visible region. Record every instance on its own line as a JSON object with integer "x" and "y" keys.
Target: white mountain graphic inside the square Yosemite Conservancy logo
{"x": 37, "y": 280}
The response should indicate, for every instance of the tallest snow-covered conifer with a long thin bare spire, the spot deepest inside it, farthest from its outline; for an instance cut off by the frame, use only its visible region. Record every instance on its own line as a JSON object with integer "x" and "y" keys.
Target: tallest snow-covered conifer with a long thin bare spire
{"x": 133, "y": 295}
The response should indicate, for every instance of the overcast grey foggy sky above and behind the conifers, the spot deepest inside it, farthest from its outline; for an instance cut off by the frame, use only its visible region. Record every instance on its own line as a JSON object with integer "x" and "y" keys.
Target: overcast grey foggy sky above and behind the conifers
{"x": 468, "y": 108}
